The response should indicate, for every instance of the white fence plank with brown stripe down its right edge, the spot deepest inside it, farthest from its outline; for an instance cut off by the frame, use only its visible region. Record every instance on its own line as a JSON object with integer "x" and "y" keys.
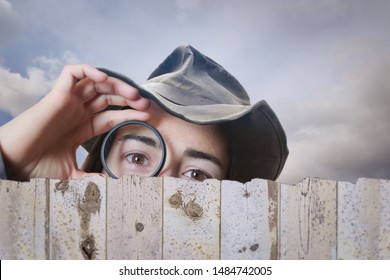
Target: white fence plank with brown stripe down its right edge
{"x": 249, "y": 220}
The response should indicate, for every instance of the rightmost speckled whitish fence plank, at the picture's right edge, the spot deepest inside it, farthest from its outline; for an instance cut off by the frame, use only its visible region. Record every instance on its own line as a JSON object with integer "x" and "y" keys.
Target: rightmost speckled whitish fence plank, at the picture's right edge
{"x": 364, "y": 219}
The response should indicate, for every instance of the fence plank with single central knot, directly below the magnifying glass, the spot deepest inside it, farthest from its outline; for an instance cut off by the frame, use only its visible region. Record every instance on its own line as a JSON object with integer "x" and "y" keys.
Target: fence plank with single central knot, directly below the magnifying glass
{"x": 134, "y": 218}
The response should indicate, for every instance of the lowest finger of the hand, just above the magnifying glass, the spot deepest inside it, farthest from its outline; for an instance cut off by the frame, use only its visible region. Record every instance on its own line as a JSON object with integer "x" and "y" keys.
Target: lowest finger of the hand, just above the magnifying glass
{"x": 105, "y": 121}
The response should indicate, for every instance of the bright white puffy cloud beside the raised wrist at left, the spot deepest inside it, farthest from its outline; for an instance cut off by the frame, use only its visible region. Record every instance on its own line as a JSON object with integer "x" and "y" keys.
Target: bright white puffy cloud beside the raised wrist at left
{"x": 18, "y": 93}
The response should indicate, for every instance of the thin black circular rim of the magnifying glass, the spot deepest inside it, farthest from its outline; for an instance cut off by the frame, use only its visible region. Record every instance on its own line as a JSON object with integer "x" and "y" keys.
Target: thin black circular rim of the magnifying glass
{"x": 106, "y": 143}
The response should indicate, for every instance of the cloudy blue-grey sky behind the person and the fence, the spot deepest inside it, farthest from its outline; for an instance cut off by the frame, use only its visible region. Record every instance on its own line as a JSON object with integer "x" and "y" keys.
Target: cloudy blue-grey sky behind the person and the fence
{"x": 322, "y": 65}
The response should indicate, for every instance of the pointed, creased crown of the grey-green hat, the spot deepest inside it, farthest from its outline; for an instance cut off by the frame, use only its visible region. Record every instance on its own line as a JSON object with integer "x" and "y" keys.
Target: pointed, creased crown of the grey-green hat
{"x": 187, "y": 77}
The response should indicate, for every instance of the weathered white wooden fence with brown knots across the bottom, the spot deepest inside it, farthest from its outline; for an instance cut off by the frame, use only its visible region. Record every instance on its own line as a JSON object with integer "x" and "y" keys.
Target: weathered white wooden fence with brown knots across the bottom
{"x": 167, "y": 218}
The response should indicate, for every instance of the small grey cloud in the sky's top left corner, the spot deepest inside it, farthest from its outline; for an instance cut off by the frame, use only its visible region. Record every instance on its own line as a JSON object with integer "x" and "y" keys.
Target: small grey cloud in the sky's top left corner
{"x": 11, "y": 24}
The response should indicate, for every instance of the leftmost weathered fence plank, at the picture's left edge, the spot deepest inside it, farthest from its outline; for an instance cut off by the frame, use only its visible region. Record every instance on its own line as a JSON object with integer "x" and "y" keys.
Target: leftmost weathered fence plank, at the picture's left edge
{"x": 23, "y": 219}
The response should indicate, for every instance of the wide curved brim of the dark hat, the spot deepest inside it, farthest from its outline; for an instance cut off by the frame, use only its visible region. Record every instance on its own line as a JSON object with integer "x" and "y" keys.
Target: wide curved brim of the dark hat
{"x": 258, "y": 139}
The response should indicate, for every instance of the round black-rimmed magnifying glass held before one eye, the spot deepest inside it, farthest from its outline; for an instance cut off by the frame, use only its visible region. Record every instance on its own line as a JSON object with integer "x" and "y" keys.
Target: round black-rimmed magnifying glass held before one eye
{"x": 133, "y": 147}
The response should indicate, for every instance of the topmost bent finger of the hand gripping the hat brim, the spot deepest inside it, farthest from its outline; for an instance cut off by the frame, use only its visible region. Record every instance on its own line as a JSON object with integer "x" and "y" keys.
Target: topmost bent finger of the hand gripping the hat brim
{"x": 71, "y": 74}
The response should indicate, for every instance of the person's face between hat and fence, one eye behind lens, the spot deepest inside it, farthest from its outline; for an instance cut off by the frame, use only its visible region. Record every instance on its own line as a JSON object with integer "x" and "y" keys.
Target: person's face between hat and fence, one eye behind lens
{"x": 195, "y": 152}
